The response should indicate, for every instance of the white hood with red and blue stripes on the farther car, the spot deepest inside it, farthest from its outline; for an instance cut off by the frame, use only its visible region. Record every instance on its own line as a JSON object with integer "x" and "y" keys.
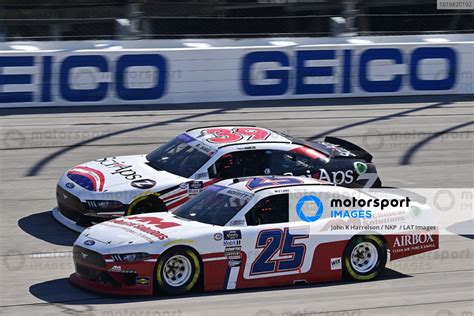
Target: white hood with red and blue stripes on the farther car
{"x": 123, "y": 173}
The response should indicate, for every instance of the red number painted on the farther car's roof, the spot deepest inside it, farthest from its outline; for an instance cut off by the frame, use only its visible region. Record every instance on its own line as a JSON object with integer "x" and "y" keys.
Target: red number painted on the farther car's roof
{"x": 223, "y": 135}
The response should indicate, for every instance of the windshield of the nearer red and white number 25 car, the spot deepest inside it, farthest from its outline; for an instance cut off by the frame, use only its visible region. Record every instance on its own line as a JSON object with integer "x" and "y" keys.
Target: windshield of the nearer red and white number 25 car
{"x": 216, "y": 205}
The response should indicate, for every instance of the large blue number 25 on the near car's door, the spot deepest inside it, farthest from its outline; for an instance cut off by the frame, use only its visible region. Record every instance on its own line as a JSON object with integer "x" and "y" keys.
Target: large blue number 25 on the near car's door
{"x": 280, "y": 252}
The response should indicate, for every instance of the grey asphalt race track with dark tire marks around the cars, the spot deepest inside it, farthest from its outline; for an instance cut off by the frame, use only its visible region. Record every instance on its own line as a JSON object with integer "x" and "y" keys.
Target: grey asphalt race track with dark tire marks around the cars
{"x": 416, "y": 142}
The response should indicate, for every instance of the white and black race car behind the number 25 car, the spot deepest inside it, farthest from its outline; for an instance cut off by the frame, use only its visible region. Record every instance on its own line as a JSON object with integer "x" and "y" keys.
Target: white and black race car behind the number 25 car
{"x": 178, "y": 170}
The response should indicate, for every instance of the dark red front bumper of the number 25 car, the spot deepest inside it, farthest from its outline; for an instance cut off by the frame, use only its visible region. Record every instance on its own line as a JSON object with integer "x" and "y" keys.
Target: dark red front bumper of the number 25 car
{"x": 99, "y": 274}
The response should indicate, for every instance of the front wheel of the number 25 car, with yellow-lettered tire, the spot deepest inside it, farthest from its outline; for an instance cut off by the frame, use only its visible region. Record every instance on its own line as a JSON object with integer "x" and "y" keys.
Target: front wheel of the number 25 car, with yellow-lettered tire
{"x": 164, "y": 284}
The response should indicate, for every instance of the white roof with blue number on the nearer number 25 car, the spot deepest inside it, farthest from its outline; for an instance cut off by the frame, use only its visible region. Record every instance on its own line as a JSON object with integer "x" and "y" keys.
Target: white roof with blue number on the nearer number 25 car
{"x": 255, "y": 184}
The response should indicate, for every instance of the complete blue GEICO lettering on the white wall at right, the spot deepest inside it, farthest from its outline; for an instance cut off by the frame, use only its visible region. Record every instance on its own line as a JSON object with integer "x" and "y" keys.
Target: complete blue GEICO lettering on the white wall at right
{"x": 373, "y": 75}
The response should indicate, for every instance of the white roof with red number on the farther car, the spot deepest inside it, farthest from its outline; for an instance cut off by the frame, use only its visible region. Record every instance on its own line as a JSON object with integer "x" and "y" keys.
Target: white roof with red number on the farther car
{"x": 220, "y": 136}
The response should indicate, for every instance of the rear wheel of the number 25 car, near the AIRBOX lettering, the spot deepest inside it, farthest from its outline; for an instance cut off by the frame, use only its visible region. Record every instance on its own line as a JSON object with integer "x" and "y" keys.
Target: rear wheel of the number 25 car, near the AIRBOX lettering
{"x": 358, "y": 261}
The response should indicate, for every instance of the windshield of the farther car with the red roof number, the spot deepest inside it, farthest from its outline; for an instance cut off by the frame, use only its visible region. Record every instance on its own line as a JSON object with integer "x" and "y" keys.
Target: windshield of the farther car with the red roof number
{"x": 182, "y": 156}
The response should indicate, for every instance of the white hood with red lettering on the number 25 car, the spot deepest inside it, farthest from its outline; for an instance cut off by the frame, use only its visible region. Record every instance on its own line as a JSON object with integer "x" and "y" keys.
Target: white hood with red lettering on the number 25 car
{"x": 139, "y": 233}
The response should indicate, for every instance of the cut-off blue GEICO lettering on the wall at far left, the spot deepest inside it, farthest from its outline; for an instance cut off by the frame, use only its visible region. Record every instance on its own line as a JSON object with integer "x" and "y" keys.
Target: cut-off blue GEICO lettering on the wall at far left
{"x": 82, "y": 78}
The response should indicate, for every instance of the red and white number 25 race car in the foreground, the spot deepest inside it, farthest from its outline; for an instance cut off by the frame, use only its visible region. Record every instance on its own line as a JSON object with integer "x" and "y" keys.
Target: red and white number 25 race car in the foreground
{"x": 249, "y": 232}
